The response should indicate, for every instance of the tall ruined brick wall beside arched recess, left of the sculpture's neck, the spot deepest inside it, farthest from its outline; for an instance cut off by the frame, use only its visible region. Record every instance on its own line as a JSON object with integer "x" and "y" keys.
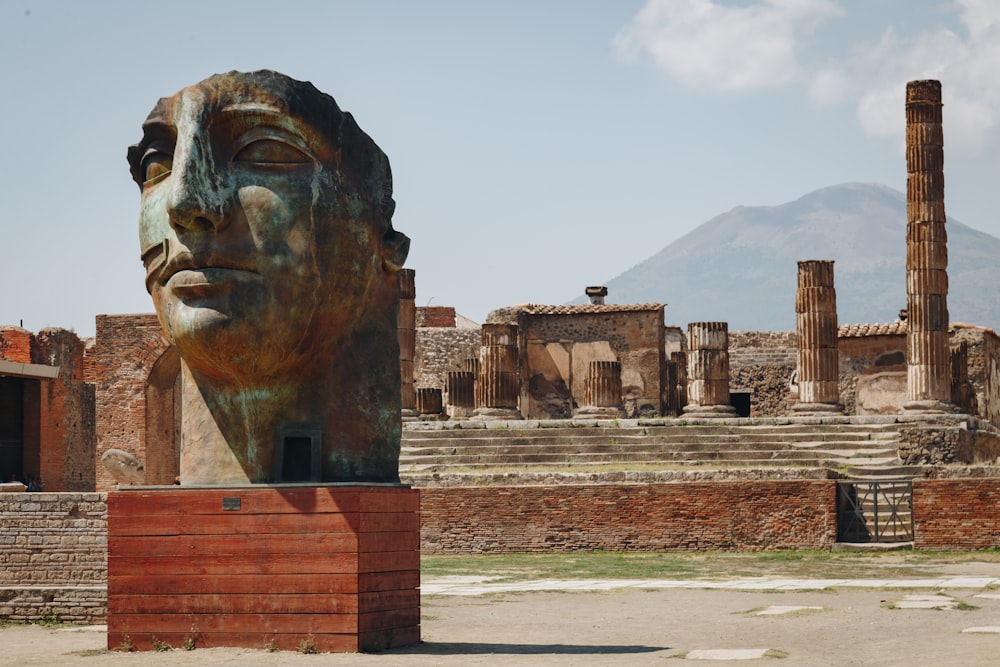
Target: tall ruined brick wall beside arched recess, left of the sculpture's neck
{"x": 119, "y": 363}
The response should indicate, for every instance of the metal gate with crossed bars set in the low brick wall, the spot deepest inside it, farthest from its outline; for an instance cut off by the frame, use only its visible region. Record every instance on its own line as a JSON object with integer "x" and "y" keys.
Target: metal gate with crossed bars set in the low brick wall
{"x": 875, "y": 511}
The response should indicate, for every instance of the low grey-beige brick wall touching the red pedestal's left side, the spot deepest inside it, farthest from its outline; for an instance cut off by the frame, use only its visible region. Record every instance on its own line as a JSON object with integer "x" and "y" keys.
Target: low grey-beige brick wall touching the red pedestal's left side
{"x": 53, "y": 559}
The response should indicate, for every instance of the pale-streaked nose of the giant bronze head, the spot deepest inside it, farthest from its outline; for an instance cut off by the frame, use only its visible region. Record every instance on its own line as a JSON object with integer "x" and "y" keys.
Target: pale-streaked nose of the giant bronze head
{"x": 196, "y": 201}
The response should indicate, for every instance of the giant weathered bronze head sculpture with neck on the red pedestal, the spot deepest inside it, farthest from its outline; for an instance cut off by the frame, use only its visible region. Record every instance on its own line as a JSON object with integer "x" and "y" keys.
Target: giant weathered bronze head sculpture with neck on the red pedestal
{"x": 266, "y": 233}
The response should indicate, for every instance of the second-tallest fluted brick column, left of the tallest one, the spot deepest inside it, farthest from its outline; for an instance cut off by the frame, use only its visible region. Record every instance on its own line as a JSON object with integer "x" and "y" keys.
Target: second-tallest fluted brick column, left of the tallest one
{"x": 816, "y": 325}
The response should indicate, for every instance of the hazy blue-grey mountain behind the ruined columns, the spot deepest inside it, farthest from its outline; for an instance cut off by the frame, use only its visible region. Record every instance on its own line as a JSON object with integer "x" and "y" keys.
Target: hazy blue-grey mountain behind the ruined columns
{"x": 741, "y": 266}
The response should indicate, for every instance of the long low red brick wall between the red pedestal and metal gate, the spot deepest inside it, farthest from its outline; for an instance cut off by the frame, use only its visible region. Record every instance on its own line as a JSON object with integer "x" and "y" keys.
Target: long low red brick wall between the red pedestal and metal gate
{"x": 745, "y": 515}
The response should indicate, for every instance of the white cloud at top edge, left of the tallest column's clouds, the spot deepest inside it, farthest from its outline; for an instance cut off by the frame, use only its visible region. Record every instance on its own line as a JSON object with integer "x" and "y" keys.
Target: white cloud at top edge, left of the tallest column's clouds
{"x": 707, "y": 45}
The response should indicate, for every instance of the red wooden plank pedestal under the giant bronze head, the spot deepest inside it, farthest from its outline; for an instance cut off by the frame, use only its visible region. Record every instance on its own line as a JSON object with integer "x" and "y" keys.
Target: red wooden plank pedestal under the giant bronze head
{"x": 270, "y": 566}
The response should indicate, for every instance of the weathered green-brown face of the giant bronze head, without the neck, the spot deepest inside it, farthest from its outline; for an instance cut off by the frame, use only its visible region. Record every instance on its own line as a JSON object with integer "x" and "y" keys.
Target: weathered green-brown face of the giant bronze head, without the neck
{"x": 246, "y": 234}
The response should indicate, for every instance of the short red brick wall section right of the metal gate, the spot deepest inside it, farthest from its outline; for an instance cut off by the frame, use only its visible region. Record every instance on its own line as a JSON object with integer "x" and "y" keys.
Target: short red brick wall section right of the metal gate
{"x": 957, "y": 513}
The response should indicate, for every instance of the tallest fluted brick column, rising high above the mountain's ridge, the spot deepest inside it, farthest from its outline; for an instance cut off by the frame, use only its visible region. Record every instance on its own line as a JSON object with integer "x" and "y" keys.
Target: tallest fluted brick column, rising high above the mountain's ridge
{"x": 928, "y": 379}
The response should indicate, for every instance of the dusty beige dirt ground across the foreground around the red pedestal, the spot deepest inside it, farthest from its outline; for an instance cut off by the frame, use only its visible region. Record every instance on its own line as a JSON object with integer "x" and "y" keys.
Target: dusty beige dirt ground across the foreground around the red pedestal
{"x": 622, "y": 627}
